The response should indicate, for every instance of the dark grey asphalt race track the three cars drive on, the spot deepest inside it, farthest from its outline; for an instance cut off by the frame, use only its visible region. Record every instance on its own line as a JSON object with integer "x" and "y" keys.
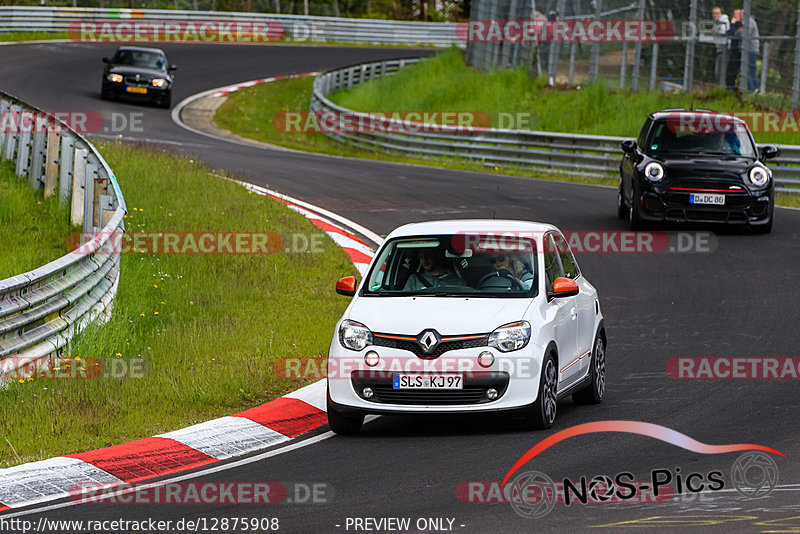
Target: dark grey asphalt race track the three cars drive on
{"x": 741, "y": 299}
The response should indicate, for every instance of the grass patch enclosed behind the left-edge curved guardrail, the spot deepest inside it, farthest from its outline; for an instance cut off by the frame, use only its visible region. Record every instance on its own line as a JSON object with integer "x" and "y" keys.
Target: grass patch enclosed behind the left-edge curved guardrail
{"x": 26, "y": 217}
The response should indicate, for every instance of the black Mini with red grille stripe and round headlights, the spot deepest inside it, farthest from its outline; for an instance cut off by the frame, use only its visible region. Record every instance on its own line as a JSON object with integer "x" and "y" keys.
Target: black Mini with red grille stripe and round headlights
{"x": 695, "y": 166}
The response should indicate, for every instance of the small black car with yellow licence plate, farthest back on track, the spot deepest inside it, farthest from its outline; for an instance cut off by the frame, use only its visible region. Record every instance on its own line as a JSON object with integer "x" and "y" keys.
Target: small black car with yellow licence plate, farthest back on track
{"x": 138, "y": 74}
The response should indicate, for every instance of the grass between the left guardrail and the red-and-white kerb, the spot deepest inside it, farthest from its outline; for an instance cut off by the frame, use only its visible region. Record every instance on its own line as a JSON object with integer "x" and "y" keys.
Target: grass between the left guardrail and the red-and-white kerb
{"x": 208, "y": 327}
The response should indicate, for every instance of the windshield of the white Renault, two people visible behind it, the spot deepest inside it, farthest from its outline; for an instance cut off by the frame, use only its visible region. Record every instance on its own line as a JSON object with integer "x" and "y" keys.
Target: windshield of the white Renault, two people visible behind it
{"x": 480, "y": 265}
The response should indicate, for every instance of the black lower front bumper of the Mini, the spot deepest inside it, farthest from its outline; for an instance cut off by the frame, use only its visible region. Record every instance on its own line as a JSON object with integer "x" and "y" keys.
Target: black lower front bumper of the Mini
{"x": 672, "y": 204}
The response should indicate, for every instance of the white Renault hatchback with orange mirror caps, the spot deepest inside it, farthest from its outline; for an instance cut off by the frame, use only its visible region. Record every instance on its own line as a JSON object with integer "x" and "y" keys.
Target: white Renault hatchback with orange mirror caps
{"x": 467, "y": 316}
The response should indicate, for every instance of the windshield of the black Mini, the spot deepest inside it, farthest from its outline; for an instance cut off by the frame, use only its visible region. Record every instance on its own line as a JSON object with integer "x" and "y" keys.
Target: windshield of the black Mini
{"x": 733, "y": 141}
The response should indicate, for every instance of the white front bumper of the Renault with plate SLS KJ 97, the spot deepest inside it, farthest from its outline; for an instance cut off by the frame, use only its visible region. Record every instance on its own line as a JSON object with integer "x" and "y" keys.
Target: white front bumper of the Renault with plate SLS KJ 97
{"x": 515, "y": 377}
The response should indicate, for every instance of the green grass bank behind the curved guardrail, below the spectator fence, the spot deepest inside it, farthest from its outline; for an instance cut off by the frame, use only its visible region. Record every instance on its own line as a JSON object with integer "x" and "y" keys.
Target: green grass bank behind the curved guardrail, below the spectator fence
{"x": 446, "y": 83}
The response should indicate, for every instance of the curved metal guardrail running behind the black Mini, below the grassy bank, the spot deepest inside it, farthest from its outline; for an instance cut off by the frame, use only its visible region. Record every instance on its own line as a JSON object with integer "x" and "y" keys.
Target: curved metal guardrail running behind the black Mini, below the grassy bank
{"x": 571, "y": 153}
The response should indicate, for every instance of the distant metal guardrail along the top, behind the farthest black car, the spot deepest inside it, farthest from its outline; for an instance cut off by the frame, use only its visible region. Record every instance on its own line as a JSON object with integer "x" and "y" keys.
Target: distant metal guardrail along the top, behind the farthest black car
{"x": 298, "y": 27}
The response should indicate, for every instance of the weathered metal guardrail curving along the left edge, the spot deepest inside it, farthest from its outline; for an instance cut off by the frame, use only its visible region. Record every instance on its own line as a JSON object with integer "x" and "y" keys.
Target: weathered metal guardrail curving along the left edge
{"x": 42, "y": 309}
